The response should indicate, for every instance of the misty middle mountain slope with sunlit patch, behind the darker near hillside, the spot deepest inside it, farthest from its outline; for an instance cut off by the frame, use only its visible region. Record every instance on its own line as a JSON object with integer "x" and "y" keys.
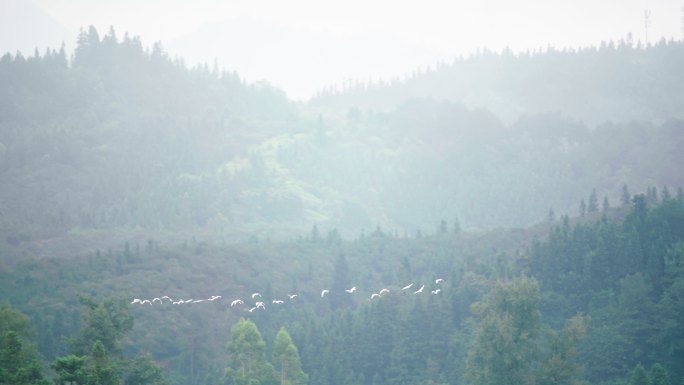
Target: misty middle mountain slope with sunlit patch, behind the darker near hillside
{"x": 125, "y": 138}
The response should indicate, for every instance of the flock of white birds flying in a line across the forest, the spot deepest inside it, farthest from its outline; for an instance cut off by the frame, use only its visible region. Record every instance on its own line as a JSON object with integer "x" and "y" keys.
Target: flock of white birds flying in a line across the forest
{"x": 259, "y": 304}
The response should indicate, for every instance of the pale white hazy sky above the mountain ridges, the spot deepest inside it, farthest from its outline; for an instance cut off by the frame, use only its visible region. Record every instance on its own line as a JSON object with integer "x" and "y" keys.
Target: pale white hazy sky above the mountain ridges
{"x": 420, "y": 32}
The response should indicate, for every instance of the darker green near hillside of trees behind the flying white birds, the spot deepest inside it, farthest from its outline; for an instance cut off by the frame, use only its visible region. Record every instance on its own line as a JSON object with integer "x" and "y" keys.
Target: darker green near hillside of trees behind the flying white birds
{"x": 593, "y": 300}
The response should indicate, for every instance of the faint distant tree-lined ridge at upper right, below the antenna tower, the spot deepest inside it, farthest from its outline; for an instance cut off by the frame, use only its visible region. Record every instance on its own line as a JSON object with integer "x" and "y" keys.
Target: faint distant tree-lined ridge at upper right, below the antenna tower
{"x": 615, "y": 82}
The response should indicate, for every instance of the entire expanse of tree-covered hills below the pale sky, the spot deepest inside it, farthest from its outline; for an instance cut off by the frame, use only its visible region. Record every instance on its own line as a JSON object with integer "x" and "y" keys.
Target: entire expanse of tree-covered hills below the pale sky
{"x": 170, "y": 225}
